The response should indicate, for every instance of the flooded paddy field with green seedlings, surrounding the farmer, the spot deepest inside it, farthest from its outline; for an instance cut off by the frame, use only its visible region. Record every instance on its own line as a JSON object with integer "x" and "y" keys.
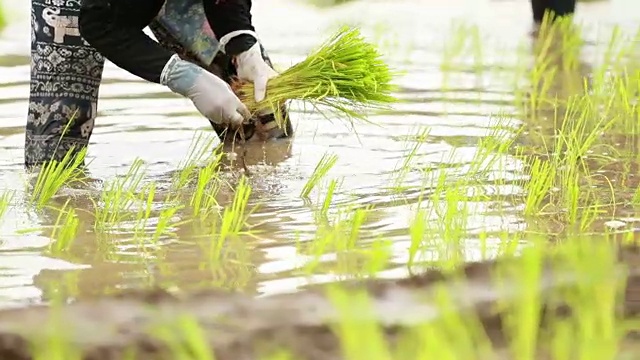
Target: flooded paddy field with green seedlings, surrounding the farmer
{"x": 504, "y": 144}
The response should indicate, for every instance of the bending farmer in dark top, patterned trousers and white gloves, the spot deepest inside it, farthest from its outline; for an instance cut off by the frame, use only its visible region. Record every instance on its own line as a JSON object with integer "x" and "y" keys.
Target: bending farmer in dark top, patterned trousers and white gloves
{"x": 71, "y": 38}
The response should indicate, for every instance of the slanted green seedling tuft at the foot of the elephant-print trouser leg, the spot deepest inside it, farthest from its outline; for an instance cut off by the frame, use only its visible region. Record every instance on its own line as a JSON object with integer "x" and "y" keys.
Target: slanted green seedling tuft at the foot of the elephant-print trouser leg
{"x": 53, "y": 175}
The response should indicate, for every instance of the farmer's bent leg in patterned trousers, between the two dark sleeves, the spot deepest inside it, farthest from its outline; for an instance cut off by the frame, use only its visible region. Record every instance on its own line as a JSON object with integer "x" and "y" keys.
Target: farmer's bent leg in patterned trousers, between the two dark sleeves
{"x": 182, "y": 26}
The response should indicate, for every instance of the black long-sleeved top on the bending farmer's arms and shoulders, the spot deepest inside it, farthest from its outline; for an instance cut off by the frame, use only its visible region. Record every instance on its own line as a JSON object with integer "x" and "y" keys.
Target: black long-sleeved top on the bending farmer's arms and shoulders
{"x": 114, "y": 28}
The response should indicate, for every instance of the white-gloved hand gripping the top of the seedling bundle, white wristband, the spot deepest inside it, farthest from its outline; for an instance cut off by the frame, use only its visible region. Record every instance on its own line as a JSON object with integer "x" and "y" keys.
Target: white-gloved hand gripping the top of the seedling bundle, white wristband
{"x": 250, "y": 66}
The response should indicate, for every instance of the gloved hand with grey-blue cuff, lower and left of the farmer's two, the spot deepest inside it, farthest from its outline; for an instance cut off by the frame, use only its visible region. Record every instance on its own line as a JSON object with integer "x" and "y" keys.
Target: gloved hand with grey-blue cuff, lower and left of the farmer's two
{"x": 211, "y": 95}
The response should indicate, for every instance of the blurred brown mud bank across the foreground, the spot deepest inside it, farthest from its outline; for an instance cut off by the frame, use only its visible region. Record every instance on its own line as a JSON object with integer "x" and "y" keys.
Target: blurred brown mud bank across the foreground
{"x": 239, "y": 327}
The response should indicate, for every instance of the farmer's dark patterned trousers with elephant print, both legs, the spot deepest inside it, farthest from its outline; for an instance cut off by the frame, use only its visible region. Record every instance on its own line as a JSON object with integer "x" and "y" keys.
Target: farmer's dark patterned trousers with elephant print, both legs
{"x": 66, "y": 73}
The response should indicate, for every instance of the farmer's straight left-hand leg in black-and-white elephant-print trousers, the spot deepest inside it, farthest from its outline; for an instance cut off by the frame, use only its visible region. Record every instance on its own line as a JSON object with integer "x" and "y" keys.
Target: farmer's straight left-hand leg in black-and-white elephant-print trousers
{"x": 65, "y": 80}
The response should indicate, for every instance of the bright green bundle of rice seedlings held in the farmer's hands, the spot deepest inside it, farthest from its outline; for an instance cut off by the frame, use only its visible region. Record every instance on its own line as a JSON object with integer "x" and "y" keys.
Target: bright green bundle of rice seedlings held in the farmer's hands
{"x": 346, "y": 75}
